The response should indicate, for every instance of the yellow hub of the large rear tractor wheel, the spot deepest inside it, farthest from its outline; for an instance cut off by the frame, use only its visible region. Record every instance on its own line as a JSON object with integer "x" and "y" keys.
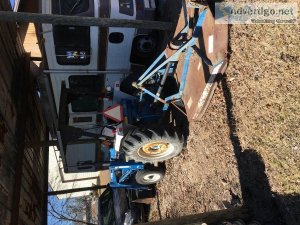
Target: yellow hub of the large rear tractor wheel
{"x": 154, "y": 149}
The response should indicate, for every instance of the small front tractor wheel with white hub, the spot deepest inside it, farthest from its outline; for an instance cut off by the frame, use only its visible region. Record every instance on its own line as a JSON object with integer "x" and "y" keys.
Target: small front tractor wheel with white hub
{"x": 149, "y": 176}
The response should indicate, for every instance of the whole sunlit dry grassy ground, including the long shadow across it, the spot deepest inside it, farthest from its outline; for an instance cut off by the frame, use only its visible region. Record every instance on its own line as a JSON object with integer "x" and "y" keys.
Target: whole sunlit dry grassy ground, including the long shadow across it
{"x": 245, "y": 150}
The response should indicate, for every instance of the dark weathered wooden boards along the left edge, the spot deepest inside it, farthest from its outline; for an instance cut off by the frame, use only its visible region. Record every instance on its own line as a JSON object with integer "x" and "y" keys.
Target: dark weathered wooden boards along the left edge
{"x": 22, "y": 170}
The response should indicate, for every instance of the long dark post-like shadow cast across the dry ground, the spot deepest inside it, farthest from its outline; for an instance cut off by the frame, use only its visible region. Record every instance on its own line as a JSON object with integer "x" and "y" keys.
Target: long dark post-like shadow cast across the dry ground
{"x": 266, "y": 207}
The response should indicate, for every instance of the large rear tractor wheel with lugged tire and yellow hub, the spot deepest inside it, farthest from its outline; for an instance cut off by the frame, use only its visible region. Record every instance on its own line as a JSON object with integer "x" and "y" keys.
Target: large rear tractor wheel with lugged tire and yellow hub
{"x": 150, "y": 145}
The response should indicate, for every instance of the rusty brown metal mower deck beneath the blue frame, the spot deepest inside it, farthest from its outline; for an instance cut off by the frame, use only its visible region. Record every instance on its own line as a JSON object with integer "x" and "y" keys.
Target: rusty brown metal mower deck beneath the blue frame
{"x": 200, "y": 82}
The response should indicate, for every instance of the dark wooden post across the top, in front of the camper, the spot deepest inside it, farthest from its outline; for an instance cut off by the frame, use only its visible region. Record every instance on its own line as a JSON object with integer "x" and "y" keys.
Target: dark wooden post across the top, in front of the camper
{"x": 83, "y": 21}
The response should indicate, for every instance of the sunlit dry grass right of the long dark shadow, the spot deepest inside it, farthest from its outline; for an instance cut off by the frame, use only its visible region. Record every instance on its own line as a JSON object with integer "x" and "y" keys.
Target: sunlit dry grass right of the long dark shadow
{"x": 264, "y": 79}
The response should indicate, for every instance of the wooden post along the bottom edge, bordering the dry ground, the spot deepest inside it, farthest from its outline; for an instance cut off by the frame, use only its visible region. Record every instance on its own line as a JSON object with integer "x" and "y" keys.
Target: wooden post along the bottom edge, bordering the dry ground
{"x": 208, "y": 217}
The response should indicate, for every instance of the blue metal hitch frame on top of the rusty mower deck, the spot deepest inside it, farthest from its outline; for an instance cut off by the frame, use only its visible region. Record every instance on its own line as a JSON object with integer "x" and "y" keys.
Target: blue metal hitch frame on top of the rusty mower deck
{"x": 188, "y": 46}
